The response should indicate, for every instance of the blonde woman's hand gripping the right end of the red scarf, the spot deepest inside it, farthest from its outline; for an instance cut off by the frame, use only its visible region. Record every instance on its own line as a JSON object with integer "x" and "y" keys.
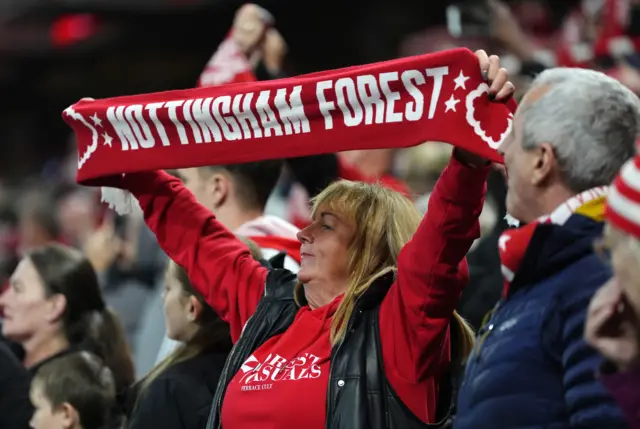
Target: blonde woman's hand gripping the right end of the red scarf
{"x": 500, "y": 89}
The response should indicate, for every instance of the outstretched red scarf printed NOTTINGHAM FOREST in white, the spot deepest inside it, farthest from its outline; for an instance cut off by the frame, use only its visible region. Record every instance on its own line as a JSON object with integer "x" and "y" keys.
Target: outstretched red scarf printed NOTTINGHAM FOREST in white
{"x": 400, "y": 103}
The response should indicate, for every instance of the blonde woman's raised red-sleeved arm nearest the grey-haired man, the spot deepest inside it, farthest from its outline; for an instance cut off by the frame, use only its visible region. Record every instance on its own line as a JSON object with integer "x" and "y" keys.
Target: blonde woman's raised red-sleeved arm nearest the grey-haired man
{"x": 432, "y": 272}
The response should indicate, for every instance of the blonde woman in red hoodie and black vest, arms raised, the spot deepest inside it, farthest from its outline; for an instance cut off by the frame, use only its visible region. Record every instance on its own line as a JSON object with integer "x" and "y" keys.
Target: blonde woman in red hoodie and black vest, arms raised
{"x": 366, "y": 333}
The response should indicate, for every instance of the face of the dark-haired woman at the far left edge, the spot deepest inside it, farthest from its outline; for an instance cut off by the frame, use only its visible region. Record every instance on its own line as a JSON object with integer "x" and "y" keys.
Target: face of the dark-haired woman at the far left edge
{"x": 27, "y": 310}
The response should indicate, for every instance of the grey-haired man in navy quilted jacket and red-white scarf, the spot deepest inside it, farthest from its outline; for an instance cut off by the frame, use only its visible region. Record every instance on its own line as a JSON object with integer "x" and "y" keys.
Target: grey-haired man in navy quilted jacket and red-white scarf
{"x": 530, "y": 367}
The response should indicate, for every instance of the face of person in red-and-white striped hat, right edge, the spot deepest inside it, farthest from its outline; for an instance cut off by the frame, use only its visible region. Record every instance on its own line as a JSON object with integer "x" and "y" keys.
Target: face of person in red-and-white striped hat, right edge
{"x": 625, "y": 261}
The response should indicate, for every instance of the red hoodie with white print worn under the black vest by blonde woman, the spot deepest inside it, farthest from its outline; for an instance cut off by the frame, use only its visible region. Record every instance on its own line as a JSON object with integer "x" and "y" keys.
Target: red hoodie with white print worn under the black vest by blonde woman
{"x": 283, "y": 384}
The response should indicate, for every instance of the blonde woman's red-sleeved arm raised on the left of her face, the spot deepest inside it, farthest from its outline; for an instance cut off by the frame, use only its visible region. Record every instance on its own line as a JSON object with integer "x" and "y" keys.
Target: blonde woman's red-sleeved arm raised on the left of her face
{"x": 218, "y": 264}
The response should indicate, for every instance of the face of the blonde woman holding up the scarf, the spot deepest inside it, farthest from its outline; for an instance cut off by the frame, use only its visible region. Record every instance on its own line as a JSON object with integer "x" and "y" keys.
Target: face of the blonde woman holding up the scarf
{"x": 325, "y": 249}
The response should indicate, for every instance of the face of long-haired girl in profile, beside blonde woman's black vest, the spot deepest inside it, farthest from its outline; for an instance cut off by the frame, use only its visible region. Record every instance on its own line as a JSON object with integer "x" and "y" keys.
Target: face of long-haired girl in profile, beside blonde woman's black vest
{"x": 178, "y": 311}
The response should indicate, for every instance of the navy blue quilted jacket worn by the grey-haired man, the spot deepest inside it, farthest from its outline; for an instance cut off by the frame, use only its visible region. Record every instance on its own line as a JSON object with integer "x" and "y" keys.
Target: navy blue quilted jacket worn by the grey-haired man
{"x": 531, "y": 368}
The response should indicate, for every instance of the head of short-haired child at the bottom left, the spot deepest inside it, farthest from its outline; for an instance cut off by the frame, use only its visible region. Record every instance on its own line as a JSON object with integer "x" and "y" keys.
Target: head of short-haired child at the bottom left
{"x": 75, "y": 391}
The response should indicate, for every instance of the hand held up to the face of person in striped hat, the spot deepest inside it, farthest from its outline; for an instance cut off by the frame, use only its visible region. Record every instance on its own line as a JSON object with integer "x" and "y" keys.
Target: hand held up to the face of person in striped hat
{"x": 612, "y": 326}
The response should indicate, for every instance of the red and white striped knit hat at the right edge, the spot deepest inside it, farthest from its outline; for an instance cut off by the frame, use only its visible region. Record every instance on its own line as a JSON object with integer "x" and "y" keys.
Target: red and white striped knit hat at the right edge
{"x": 623, "y": 200}
